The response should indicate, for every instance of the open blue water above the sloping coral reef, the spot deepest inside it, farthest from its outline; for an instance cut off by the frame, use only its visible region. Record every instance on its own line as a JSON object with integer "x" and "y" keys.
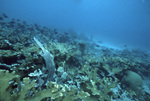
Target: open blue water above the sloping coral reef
{"x": 120, "y": 22}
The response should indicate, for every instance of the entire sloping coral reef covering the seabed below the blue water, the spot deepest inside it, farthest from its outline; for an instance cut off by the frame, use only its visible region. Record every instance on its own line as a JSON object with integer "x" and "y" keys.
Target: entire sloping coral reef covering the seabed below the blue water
{"x": 70, "y": 67}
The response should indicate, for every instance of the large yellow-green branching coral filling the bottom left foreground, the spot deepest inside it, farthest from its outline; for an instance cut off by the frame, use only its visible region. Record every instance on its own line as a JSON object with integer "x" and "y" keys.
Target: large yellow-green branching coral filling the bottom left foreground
{"x": 28, "y": 92}
